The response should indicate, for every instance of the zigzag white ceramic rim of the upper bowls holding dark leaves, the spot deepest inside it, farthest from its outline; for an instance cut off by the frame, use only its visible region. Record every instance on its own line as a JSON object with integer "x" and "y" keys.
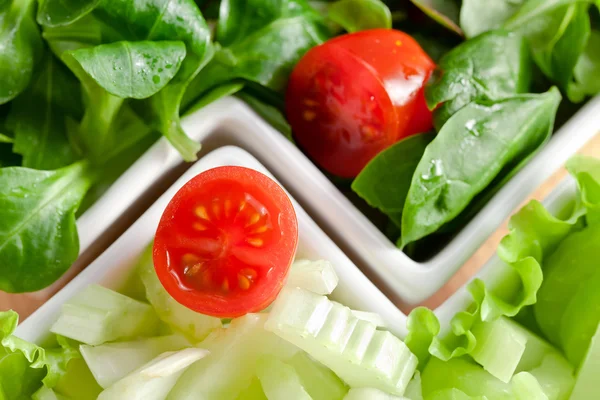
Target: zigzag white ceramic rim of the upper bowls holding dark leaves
{"x": 230, "y": 122}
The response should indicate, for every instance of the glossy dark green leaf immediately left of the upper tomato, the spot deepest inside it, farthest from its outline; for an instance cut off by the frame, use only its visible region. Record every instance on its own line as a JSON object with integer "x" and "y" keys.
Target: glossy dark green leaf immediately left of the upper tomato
{"x": 266, "y": 57}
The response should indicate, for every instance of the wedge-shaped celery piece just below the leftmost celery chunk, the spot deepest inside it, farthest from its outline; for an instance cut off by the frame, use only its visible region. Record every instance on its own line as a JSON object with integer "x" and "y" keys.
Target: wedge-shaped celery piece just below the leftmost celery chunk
{"x": 111, "y": 362}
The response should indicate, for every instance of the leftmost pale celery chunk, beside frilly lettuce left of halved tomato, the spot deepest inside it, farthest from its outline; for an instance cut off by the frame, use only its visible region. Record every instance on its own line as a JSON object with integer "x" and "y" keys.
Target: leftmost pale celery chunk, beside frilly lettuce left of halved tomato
{"x": 98, "y": 315}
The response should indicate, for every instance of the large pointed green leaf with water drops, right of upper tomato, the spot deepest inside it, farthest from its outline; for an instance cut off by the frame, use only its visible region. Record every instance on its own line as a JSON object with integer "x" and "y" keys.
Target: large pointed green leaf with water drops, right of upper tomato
{"x": 472, "y": 148}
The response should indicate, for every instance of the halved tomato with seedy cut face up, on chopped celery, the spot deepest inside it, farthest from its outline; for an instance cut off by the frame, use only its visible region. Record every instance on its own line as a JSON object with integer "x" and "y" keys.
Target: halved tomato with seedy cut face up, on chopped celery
{"x": 226, "y": 241}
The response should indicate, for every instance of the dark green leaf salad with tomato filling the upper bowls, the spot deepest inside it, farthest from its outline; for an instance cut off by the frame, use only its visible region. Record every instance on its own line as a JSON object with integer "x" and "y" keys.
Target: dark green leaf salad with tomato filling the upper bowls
{"x": 419, "y": 124}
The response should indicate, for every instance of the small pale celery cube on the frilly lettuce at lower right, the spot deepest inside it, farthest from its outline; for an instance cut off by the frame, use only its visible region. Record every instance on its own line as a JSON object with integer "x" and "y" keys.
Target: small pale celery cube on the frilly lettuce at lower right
{"x": 499, "y": 347}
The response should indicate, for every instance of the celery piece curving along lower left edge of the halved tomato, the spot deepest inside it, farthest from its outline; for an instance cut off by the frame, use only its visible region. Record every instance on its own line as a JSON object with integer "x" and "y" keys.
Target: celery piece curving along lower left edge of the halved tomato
{"x": 193, "y": 325}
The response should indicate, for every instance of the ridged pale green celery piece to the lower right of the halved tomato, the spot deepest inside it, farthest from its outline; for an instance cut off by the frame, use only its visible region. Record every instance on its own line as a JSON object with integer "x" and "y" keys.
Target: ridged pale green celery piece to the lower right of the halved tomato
{"x": 358, "y": 353}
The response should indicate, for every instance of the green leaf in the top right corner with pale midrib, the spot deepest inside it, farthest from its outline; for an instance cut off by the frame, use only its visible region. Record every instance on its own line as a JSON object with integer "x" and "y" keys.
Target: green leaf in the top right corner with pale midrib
{"x": 557, "y": 38}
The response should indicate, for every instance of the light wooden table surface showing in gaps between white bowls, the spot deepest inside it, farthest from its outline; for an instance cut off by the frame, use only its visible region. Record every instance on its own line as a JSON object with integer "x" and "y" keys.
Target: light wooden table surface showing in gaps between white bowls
{"x": 25, "y": 304}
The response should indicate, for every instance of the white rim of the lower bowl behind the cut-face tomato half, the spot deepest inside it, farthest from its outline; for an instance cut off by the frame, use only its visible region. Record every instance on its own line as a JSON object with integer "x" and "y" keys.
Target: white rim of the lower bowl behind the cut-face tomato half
{"x": 116, "y": 265}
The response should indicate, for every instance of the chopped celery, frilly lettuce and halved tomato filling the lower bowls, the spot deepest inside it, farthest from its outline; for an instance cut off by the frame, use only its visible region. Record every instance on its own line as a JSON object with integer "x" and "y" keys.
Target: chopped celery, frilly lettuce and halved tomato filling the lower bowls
{"x": 219, "y": 311}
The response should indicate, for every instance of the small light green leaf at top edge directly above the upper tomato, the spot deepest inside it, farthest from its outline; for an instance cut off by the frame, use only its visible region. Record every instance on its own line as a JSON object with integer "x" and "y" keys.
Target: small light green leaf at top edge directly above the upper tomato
{"x": 358, "y": 15}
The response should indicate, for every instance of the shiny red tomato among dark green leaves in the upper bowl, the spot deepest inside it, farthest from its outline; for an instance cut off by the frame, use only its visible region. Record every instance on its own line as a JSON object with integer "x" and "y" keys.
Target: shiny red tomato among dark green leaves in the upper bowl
{"x": 355, "y": 95}
